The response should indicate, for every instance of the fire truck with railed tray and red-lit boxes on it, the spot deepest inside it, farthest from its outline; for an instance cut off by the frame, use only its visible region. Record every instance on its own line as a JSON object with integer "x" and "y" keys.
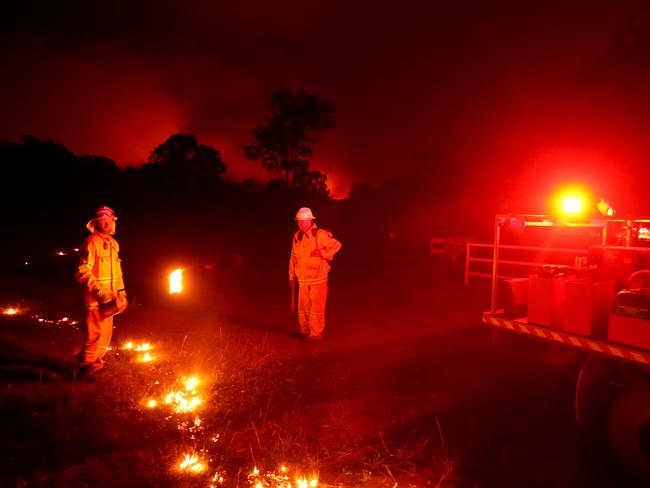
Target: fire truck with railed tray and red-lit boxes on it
{"x": 586, "y": 286}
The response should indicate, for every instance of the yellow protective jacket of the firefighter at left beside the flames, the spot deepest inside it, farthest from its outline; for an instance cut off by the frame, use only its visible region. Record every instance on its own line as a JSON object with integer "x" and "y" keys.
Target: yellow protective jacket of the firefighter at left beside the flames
{"x": 100, "y": 269}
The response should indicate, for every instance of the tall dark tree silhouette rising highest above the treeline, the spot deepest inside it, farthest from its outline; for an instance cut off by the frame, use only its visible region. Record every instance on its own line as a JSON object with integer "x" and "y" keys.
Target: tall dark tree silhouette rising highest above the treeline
{"x": 284, "y": 143}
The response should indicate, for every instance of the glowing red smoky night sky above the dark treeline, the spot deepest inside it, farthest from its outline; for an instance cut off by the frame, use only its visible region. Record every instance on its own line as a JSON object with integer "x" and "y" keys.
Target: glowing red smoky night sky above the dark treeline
{"x": 521, "y": 95}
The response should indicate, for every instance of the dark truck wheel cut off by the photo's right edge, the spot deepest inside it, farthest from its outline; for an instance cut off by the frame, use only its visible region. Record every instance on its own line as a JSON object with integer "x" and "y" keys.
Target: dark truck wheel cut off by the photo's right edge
{"x": 629, "y": 430}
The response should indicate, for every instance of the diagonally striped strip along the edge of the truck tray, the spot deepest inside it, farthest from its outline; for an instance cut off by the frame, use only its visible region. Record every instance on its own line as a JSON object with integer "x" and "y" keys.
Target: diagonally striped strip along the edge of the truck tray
{"x": 610, "y": 349}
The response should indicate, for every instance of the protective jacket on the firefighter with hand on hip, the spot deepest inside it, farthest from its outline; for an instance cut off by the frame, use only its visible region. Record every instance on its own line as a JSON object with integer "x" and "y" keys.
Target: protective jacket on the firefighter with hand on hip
{"x": 308, "y": 269}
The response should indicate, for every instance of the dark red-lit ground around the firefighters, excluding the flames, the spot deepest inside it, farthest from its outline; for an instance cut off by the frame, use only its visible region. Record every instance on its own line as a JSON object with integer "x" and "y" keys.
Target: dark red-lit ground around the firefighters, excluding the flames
{"x": 405, "y": 389}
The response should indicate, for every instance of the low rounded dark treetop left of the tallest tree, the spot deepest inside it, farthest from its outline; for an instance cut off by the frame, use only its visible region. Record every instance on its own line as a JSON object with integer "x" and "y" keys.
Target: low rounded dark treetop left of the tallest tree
{"x": 183, "y": 157}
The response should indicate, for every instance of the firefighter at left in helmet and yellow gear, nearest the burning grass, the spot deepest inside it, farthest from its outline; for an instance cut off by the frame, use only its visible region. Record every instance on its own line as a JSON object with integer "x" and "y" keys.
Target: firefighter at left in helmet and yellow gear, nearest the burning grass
{"x": 100, "y": 275}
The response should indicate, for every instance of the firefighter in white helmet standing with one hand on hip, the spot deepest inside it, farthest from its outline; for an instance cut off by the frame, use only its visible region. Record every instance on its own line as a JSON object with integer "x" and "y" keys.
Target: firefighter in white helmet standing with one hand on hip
{"x": 311, "y": 251}
